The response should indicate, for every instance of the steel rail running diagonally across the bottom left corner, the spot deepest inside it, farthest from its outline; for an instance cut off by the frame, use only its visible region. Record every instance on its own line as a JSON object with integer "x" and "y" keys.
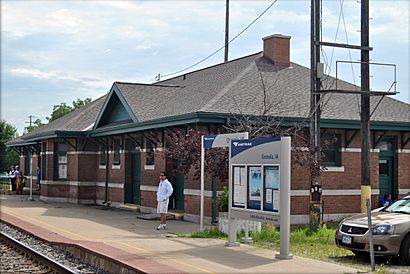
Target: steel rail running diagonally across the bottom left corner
{"x": 52, "y": 264}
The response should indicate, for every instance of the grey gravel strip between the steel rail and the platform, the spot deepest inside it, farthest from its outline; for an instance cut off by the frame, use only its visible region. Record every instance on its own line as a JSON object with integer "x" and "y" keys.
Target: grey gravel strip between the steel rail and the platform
{"x": 56, "y": 254}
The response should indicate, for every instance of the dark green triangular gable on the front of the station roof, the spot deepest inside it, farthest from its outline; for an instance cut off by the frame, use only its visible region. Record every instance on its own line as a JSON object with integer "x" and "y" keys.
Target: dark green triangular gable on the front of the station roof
{"x": 115, "y": 110}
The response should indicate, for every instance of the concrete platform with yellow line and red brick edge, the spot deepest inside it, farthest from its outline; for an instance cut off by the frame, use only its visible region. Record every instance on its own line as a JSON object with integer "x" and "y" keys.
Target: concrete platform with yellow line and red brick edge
{"x": 119, "y": 236}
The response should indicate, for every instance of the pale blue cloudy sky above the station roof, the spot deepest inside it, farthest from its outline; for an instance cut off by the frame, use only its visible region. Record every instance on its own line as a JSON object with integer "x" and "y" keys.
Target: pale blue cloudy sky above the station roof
{"x": 58, "y": 51}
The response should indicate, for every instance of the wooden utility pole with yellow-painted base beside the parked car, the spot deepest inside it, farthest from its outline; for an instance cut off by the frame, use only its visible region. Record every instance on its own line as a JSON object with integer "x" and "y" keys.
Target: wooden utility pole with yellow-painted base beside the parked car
{"x": 365, "y": 106}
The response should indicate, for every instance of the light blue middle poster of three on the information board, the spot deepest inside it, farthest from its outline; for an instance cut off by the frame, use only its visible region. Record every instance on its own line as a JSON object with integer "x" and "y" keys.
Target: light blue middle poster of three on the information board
{"x": 254, "y": 187}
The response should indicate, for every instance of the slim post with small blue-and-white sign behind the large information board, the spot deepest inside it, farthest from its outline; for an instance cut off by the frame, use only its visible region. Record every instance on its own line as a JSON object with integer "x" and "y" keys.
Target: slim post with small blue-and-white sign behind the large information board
{"x": 211, "y": 141}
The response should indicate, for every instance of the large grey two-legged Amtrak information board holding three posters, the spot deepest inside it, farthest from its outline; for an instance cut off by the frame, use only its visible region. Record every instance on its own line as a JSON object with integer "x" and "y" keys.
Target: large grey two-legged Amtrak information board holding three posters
{"x": 259, "y": 186}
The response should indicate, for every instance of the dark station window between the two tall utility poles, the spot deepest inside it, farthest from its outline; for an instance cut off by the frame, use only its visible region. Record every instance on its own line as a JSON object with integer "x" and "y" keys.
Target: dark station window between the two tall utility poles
{"x": 331, "y": 150}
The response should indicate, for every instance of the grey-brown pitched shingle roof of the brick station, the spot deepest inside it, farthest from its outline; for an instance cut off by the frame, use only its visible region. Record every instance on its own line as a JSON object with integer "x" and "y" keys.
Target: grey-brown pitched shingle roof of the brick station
{"x": 243, "y": 86}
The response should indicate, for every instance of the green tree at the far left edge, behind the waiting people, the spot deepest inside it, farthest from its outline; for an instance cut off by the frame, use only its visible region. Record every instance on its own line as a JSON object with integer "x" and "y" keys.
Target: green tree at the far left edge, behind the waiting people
{"x": 8, "y": 156}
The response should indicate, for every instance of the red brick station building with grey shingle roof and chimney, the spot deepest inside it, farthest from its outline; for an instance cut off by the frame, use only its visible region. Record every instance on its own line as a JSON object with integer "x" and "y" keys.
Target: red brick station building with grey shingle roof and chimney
{"x": 111, "y": 150}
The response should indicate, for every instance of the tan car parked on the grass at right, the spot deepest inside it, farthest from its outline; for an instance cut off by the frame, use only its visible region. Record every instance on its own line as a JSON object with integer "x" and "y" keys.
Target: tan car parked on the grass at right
{"x": 391, "y": 231}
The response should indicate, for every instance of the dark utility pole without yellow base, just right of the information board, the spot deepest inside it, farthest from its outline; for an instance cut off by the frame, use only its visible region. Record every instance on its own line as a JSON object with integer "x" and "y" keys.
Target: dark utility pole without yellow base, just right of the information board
{"x": 315, "y": 147}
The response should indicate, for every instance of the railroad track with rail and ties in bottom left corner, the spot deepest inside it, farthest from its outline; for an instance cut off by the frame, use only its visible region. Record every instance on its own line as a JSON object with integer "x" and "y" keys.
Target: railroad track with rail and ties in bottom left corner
{"x": 26, "y": 259}
